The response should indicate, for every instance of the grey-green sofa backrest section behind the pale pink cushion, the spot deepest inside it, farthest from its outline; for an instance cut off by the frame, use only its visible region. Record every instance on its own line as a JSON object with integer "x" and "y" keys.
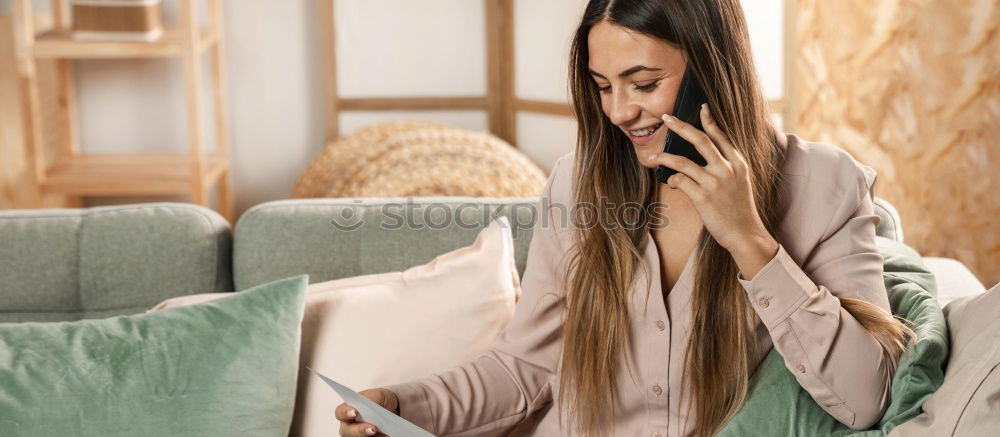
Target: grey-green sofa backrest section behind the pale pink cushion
{"x": 338, "y": 238}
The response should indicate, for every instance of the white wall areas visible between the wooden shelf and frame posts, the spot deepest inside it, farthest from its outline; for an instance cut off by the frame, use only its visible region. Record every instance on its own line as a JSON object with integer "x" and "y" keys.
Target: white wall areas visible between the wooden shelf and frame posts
{"x": 385, "y": 48}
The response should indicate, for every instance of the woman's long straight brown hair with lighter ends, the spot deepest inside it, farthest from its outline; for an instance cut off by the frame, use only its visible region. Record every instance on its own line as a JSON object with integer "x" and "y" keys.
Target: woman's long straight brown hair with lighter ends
{"x": 713, "y": 35}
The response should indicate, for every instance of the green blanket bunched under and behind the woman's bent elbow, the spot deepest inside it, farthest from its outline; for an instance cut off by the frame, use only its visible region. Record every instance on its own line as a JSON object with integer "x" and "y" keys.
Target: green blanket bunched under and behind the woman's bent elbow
{"x": 778, "y": 406}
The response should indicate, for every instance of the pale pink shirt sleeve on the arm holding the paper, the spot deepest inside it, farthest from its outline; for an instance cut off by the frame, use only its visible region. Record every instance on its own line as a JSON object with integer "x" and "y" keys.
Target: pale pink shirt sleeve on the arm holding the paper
{"x": 500, "y": 388}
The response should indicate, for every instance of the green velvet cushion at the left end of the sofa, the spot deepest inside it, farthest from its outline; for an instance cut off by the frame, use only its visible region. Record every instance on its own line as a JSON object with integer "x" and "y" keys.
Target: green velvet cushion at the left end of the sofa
{"x": 222, "y": 368}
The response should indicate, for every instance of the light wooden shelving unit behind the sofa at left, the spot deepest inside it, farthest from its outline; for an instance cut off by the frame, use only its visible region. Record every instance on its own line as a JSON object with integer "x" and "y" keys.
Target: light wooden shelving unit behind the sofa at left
{"x": 74, "y": 174}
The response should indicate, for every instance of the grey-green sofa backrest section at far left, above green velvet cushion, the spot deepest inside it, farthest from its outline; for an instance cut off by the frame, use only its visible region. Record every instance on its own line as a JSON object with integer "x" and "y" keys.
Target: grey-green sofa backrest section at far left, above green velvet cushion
{"x": 69, "y": 264}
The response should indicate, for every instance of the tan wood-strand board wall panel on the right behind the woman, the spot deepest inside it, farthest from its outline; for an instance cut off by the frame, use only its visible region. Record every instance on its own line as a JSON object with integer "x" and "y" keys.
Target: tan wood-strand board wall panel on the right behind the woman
{"x": 912, "y": 88}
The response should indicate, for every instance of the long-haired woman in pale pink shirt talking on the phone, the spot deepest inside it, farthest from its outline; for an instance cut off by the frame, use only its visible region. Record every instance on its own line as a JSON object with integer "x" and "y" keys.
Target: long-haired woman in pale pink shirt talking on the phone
{"x": 771, "y": 244}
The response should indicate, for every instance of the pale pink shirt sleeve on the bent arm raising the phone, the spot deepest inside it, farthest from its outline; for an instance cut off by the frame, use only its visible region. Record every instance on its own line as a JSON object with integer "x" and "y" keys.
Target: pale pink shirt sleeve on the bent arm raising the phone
{"x": 831, "y": 354}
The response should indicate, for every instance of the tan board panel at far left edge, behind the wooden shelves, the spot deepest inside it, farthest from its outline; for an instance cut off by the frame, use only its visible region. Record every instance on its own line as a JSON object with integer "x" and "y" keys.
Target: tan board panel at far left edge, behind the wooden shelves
{"x": 15, "y": 173}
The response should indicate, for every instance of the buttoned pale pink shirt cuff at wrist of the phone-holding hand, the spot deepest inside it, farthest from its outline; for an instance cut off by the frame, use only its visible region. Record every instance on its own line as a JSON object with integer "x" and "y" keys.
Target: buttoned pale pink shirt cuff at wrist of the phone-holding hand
{"x": 778, "y": 289}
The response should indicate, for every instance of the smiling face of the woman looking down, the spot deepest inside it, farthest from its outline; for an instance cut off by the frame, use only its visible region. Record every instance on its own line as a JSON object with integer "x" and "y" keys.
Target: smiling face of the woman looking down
{"x": 638, "y": 77}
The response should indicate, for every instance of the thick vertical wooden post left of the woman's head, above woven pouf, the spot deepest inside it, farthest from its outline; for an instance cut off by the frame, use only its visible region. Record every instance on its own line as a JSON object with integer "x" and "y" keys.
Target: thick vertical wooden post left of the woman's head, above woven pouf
{"x": 500, "y": 69}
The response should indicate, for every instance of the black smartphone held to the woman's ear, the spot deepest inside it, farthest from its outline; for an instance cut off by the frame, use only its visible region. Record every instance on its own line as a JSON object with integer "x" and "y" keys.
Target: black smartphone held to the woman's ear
{"x": 687, "y": 108}
